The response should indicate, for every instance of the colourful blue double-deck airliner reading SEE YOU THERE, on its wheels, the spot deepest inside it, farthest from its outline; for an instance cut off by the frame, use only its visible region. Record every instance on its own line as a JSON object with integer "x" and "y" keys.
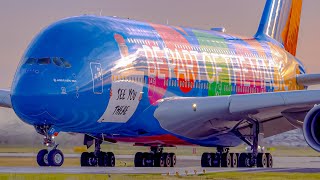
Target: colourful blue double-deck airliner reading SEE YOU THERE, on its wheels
{"x": 121, "y": 80}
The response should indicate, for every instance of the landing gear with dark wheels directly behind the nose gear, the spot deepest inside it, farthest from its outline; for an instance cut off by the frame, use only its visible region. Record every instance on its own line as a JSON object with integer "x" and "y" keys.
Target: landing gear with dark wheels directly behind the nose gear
{"x": 98, "y": 157}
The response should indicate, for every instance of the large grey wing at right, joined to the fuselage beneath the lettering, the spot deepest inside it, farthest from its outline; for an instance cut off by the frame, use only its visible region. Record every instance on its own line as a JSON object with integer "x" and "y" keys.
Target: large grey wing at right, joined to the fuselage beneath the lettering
{"x": 202, "y": 117}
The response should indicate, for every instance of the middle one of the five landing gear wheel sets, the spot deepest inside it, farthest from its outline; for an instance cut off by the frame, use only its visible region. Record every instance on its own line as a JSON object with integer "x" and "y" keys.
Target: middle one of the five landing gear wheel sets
{"x": 155, "y": 158}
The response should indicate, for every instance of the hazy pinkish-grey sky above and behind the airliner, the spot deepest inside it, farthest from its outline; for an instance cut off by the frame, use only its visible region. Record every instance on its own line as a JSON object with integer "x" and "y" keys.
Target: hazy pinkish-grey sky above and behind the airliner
{"x": 21, "y": 20}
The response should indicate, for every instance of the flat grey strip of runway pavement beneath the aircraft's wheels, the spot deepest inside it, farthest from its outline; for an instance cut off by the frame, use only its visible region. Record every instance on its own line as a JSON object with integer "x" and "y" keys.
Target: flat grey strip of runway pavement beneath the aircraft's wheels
{"x": 133, "y": 170}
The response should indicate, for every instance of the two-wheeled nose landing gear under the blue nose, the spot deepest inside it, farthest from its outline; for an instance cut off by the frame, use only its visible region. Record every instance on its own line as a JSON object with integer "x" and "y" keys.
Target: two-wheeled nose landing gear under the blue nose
{"x": 50, "y": 156}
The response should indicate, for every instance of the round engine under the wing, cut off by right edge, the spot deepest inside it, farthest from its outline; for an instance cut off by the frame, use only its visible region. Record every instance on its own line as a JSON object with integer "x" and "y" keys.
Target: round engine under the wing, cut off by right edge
{"x": 311, "y": 128}
